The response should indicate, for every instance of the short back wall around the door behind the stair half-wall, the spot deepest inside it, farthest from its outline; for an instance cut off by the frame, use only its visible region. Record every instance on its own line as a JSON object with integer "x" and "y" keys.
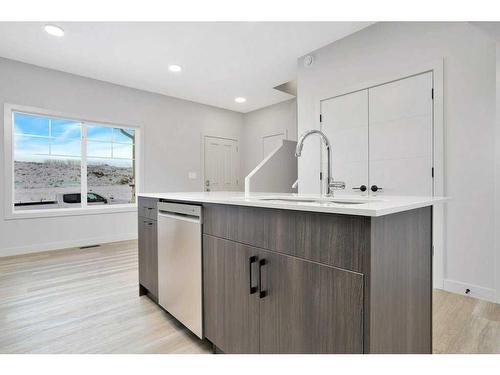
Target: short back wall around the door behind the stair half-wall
{"x": 281, "y": 117}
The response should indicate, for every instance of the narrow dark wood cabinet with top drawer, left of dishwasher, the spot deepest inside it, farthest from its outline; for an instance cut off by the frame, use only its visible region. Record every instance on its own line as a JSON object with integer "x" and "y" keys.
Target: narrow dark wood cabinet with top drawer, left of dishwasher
{"x": 148, "y": 250}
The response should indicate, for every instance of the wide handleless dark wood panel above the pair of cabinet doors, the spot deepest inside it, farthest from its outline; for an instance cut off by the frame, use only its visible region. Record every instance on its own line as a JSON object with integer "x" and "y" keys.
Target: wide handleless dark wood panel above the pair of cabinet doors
{"x": 336, "y": 240}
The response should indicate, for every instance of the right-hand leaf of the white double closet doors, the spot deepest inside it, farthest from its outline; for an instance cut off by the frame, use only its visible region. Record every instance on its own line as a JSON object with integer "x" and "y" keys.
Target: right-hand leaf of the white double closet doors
{"x": 400, "y": 137}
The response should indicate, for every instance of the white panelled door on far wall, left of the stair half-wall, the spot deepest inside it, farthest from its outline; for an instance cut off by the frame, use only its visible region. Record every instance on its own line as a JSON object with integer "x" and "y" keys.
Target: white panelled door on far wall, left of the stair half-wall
{"x": 221, "y": 164}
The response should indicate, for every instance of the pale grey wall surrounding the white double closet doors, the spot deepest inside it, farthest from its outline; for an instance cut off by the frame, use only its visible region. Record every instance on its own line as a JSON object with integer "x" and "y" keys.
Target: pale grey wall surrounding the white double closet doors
{"x": 469, "y": 118}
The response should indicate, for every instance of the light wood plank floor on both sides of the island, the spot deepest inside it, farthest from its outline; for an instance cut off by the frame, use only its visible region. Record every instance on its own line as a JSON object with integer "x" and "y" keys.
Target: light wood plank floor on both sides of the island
{"x": 86, "y": 301}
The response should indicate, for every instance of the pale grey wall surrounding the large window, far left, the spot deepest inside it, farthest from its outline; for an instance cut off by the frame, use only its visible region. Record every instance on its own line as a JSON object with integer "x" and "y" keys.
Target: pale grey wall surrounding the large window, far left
{"x": 172, "y": 131}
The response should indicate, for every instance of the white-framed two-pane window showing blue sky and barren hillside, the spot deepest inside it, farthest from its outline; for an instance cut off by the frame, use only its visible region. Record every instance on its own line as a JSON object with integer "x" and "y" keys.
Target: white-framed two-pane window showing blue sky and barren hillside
{"x": 57, "y": 161}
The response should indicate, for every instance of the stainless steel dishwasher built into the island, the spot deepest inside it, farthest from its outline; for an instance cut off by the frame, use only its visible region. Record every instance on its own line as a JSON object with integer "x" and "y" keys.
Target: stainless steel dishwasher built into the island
{"x": 180, "y": 263}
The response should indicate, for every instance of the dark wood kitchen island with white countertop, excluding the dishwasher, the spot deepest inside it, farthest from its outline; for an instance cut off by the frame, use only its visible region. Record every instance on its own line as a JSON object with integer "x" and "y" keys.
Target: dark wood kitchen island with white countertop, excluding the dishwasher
{"x": 306, "y": 274}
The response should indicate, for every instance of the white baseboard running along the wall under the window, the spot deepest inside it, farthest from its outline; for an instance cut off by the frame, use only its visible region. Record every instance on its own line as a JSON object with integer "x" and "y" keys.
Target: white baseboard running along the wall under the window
{"x": 21, "y": 250}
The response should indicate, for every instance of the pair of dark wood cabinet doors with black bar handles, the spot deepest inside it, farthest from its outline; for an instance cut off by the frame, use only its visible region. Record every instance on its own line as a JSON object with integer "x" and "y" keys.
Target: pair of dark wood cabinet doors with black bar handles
{"x": 295, "y": 306}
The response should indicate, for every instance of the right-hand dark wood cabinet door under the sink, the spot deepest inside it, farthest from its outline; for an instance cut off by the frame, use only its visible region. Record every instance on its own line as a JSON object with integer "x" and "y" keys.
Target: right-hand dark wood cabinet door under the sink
{"x": 308, "y": 307}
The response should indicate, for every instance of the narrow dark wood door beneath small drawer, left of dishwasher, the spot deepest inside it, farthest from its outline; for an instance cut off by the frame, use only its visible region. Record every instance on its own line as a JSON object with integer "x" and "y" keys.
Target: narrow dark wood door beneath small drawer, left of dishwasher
{"x": 148, "y": 255}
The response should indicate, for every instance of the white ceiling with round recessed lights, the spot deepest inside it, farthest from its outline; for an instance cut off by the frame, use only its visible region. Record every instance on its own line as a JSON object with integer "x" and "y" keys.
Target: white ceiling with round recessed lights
{"x": 220, "y": 60}
